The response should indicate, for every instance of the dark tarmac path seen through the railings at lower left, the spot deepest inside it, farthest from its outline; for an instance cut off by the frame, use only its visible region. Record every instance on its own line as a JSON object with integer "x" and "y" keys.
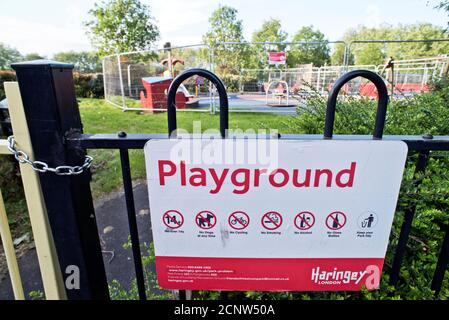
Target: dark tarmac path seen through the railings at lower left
{"x": 113, "y": 228}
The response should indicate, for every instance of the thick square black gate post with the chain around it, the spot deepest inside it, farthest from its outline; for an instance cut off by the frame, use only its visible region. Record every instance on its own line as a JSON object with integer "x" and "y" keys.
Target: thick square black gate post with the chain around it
{"x": 52, "y": 113}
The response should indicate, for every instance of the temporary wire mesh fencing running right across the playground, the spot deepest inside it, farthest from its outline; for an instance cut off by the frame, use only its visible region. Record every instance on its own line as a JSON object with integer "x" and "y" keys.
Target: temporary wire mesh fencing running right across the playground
{"x": 139, "y": 80}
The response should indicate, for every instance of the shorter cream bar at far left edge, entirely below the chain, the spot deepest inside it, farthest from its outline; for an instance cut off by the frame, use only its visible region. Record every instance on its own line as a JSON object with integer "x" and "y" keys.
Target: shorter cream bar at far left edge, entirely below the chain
{"x": 10, "y": 253}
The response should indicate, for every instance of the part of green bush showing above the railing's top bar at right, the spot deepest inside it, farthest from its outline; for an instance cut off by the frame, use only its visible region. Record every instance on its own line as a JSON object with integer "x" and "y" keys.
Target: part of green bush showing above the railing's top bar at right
{"x": 421, "y": 114}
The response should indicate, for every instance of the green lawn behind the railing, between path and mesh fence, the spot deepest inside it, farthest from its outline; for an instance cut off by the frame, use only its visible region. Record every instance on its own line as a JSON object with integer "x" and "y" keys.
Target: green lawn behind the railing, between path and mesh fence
{"x": 100, "y": 117}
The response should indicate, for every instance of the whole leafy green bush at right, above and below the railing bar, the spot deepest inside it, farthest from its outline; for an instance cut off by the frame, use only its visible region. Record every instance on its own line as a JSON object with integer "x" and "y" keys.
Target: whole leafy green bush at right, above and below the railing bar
{"x": 421, "y": 114}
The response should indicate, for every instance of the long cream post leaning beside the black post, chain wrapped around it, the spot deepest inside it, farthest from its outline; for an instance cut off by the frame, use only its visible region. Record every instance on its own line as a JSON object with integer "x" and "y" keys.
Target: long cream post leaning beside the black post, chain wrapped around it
{"x": 46, "y": 252}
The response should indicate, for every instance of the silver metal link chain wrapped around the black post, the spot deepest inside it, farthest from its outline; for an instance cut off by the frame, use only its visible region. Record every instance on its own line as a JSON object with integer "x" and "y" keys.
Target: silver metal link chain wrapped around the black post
{"x": 40, "y": 166}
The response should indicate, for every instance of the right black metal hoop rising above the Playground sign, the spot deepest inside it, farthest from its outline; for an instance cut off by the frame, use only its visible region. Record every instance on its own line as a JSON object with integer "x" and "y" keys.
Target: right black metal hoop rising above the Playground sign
{"x": 381, "y": 105}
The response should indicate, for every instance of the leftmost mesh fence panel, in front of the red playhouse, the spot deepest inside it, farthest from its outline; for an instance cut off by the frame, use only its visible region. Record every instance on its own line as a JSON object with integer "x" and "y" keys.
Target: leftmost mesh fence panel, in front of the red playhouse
{"x": 129, "y": 77}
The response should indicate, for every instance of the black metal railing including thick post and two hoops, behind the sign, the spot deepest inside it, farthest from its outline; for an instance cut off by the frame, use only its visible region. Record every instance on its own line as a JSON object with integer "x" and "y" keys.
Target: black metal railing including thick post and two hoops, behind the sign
{"x": 49, "y": 98}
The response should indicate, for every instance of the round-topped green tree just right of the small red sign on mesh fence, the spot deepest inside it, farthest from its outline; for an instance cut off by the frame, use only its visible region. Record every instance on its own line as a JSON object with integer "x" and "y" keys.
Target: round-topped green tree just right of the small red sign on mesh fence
{"x": 318, "y": 54}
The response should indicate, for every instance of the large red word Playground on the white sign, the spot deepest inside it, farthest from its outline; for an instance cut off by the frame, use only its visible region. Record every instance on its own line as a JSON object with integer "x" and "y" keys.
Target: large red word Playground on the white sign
{"x": 243, "y": 179}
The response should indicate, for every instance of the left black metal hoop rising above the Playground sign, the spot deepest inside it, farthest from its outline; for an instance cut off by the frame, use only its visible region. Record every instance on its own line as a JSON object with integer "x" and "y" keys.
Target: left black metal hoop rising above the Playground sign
{"x": 171, "y": 98}
